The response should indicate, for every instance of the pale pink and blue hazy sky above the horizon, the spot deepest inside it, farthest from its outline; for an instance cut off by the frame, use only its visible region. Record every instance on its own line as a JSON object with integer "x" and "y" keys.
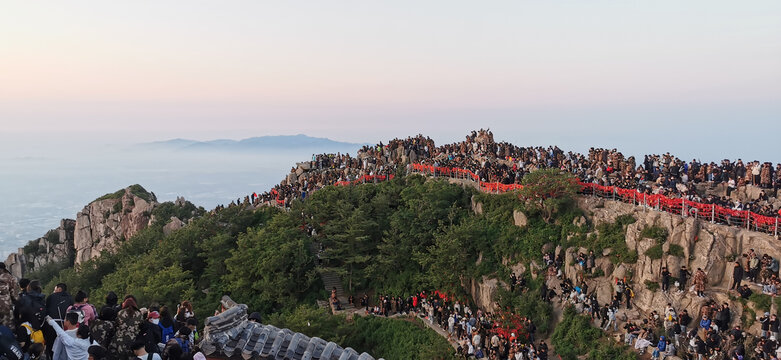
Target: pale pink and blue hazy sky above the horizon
{"x": 697, "y": 77}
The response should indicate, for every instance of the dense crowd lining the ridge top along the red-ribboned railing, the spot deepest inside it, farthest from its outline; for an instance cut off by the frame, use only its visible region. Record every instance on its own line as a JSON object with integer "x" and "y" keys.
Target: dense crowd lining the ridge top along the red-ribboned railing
{"x": 506, "y": 163}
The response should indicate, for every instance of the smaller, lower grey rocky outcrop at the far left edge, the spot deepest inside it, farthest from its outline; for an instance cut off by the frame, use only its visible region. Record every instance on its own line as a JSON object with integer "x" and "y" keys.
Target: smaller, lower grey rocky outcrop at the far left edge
{"x": 54, "y": 247}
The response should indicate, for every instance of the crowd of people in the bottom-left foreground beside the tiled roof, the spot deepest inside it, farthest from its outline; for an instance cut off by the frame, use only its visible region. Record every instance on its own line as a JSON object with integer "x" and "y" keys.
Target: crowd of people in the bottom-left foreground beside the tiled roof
{"x": 62, "y": 326}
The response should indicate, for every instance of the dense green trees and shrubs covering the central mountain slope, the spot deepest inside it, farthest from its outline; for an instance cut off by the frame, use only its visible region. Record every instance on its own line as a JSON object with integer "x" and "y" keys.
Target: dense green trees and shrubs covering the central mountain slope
{"x": 396, "y": 237}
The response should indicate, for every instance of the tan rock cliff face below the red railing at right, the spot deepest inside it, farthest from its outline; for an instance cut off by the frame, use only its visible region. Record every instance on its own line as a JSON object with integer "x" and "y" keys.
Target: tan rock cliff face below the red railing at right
{"x": 705, "y": 245}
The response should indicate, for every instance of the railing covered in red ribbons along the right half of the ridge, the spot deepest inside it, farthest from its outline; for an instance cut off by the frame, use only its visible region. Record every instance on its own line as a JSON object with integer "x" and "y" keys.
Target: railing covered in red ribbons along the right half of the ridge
{"x": 716, "y": 214}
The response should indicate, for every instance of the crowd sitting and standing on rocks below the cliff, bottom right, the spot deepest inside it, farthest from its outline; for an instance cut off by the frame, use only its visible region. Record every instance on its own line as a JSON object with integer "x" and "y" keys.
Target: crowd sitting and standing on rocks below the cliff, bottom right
{"x": 713, "y": 332}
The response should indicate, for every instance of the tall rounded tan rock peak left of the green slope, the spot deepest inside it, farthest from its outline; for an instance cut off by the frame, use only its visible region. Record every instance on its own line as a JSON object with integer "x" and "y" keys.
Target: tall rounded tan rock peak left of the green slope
{"x": 108, "y": 221}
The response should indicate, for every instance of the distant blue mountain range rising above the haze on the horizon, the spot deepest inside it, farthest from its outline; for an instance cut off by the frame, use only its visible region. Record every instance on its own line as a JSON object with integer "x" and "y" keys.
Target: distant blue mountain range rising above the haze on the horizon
{"x": 299, "y": 141}
